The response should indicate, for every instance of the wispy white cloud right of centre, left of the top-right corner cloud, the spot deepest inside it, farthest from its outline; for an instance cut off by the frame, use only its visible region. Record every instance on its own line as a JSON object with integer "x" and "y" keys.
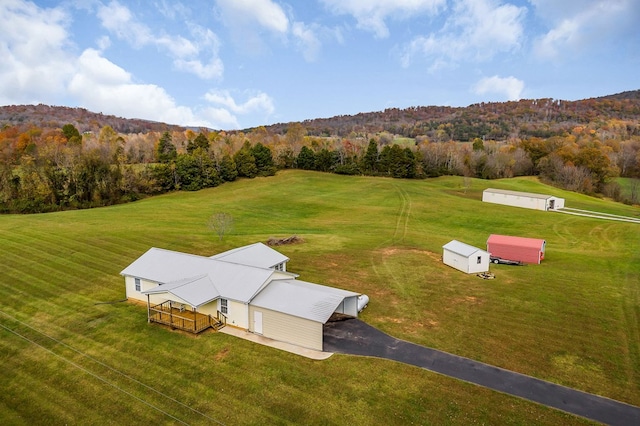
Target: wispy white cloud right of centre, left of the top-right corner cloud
{"x": 475, "y": 30}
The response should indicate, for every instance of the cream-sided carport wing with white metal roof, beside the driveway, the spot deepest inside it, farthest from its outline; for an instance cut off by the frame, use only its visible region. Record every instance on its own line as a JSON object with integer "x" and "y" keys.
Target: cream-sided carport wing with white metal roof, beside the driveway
{"x": 295, "y": 311}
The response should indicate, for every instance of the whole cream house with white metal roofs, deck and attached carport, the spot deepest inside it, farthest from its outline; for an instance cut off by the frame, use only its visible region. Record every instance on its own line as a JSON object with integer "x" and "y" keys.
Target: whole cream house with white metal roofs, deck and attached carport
{"x": 247, "y": 287}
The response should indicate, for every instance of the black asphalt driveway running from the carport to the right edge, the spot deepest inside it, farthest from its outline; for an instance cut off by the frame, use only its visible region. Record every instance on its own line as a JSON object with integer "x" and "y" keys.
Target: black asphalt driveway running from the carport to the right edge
{"x": 352, "y": 336}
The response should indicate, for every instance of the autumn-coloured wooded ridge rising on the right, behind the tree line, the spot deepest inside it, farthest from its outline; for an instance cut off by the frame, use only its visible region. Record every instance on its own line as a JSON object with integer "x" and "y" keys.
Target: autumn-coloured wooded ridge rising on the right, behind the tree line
{"x": 497, "y": 120}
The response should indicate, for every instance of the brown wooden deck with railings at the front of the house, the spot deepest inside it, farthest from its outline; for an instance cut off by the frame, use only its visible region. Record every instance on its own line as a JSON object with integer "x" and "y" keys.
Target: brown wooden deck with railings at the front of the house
{"x": 183, "y": 318}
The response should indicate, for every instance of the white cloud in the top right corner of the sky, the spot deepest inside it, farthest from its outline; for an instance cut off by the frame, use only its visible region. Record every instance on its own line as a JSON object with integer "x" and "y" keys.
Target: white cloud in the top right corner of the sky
{"x": 580, "y": 26}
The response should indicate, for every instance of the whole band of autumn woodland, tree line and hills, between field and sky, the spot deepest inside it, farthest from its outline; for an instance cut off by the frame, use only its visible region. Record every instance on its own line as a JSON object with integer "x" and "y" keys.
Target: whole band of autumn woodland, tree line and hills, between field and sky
{"x": 54, "y": 158}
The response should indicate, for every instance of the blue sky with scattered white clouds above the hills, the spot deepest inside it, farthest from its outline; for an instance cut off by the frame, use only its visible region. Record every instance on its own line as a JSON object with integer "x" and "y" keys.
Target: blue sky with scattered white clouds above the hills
{"x": 233, "y": 64}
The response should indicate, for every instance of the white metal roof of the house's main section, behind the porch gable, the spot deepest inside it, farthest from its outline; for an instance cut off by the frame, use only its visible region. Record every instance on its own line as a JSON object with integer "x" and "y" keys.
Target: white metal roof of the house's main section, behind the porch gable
{"x": 233, "y": 281}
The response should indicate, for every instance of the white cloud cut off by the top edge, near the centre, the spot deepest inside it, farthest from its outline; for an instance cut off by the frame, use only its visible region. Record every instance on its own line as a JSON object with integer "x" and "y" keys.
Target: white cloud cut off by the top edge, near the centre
{"x": 371, "y": 15}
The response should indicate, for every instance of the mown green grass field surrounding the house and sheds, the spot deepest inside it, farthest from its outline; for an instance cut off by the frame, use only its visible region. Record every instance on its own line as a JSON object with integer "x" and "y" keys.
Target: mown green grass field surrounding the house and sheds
{"x": 574, "y": 320}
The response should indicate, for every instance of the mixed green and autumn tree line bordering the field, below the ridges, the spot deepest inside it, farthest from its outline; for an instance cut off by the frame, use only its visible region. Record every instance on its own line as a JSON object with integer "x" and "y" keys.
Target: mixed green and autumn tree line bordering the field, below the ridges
{"x": 58, "y": 169}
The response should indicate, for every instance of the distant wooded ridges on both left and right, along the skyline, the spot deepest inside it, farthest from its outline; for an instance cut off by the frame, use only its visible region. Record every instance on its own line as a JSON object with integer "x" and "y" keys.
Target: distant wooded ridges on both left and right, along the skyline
{"x": 495, "y": 120}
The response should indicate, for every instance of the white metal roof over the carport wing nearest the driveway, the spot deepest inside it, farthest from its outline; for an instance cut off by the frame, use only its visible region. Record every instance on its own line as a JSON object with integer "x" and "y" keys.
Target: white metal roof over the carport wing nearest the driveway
{"x": 302, "y": 299}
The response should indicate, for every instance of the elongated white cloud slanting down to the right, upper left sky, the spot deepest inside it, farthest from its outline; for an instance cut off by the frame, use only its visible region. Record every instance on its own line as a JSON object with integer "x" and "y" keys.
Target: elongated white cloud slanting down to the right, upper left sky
{"x": 187, "y": 54}
